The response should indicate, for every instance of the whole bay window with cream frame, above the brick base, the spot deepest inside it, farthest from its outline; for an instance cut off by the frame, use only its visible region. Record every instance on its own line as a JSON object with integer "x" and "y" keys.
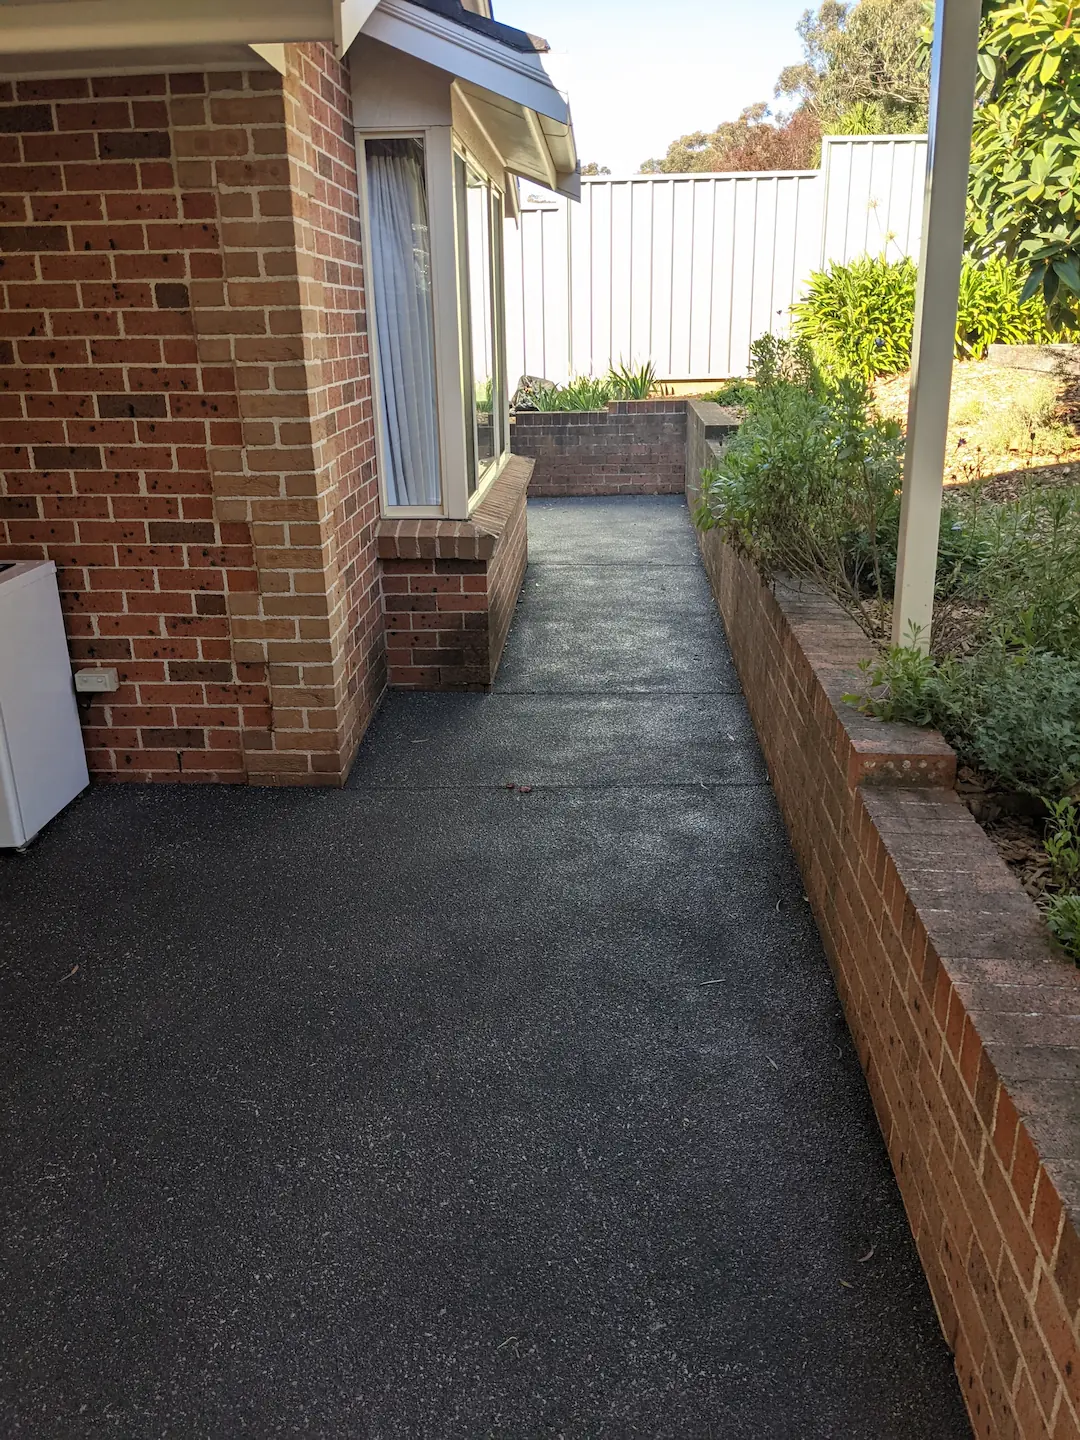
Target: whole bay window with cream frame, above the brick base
{"x": 434, "y": 250}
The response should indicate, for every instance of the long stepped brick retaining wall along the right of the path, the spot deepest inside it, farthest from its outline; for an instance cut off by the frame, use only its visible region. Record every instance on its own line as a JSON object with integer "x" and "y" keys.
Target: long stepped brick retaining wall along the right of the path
{"x": 966, "y": 1017}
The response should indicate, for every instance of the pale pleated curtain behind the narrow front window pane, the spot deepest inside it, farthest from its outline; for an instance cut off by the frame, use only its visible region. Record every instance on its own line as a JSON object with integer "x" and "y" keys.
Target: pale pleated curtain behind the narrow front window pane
{"x": 405, "y": 322}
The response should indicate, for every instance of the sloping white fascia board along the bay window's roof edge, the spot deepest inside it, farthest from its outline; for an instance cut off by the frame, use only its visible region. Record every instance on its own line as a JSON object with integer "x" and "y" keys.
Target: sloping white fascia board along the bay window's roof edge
{"x": 469, "y": 55}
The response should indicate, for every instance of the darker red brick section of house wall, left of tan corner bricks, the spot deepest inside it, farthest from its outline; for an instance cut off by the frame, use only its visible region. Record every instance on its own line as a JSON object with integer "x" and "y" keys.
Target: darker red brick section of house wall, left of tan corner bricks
{"x": 110, "y": 414}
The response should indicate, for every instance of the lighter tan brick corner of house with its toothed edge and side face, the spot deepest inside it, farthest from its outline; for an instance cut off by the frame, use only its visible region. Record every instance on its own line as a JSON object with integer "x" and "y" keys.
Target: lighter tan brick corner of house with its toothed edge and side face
{"x": 306, "y": 480}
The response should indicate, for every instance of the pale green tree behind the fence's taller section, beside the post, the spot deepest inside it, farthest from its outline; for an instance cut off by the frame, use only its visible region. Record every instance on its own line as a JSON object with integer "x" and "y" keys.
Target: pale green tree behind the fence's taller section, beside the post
{"x": 866, "y": 68}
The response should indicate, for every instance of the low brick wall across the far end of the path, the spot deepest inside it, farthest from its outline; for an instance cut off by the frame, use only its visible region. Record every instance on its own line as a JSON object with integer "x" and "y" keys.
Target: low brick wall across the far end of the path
{"x": 633, "y": 449}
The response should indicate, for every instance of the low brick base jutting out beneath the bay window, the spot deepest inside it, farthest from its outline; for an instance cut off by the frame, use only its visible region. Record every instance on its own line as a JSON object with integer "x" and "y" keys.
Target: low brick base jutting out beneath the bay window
{"x": 451, "y": 588}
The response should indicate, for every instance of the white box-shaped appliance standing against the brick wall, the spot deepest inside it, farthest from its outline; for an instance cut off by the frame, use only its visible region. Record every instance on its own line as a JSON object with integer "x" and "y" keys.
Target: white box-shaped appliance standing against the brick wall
{"x": 42, "y": 760}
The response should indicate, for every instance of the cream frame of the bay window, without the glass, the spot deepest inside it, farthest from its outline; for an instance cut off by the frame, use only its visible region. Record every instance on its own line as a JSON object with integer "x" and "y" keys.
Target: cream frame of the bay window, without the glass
{"x": 440, "y": 146}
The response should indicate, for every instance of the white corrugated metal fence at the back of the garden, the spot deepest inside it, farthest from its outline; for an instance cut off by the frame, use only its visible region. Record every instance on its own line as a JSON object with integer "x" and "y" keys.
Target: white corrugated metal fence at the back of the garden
{"x": 688, "y": 271}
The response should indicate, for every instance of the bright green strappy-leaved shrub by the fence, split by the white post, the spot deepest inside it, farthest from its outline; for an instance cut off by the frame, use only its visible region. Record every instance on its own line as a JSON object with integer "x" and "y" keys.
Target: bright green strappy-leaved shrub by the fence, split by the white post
{"x": 860, "y": 318}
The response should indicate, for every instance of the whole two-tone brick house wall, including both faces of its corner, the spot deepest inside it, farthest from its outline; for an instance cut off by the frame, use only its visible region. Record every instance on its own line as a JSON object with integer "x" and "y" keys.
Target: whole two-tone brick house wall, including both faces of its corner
{"x": 185, "y": 411}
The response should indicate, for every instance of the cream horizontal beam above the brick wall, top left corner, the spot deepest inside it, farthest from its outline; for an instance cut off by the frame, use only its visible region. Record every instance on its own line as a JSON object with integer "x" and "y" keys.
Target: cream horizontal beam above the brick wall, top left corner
{"x": 123, "y": 25}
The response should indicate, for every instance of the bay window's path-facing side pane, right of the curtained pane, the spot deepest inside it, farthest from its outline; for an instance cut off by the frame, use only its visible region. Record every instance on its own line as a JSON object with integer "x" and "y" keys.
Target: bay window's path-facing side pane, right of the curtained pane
{"x": 480, "y": 290}
